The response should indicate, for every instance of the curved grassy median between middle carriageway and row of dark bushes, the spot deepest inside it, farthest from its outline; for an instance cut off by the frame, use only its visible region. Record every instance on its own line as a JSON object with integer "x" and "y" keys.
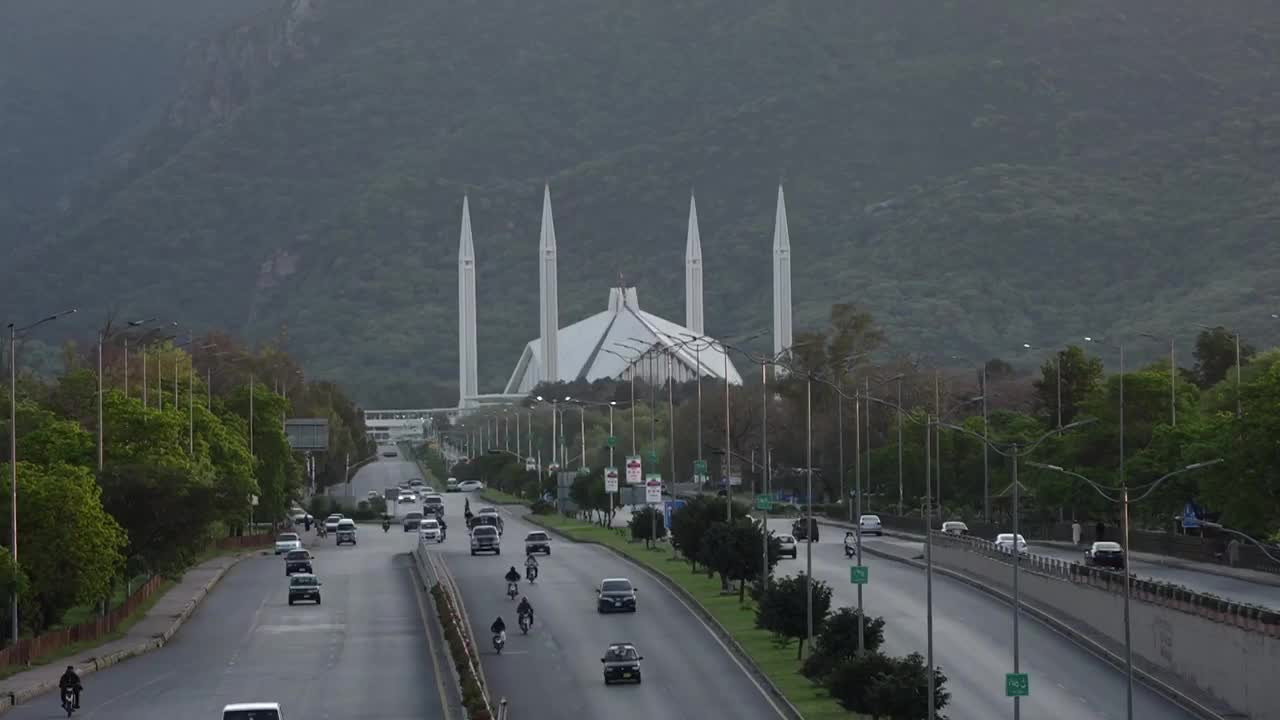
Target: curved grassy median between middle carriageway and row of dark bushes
{"x": 779, "y": 663}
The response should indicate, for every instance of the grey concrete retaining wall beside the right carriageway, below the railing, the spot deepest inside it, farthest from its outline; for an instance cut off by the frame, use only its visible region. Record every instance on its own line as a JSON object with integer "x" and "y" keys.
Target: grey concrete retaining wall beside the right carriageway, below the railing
{"x": 1224, "y": 650}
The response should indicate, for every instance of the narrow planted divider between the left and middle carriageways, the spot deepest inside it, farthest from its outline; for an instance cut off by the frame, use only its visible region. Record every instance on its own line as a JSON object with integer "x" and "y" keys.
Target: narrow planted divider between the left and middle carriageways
{"x": 458, "y": 636}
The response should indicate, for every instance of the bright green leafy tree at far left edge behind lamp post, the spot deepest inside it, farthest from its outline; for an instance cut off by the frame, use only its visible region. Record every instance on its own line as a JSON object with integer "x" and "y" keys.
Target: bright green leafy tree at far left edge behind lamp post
{"x": 71, "y": 548}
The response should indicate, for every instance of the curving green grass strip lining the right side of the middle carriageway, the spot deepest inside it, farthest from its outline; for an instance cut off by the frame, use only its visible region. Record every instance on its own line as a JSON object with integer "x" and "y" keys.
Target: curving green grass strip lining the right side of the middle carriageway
{"x": 775, "y": 669}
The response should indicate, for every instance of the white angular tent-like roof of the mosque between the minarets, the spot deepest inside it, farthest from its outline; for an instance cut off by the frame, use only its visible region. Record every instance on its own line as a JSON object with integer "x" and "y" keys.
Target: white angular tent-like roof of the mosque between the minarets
{"x": 582, "y": 347}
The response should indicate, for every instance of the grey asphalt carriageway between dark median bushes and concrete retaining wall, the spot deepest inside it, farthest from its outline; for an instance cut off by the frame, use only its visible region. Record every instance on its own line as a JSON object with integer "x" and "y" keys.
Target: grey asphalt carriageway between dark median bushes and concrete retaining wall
{"x": 973, "y": 642}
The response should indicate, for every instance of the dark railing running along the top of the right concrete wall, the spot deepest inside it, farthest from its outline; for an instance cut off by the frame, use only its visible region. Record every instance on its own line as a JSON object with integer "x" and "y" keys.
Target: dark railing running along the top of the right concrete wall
{"x": 1250, "y": 618}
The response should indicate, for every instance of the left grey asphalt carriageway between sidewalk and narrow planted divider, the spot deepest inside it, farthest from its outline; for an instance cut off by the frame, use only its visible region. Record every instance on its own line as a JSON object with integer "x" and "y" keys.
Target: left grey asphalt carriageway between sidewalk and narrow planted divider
{"x": 362, "y": 654}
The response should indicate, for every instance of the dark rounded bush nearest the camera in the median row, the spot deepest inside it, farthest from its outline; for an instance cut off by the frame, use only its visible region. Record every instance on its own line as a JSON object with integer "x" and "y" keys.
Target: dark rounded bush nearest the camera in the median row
{"x": 886, "y": 687}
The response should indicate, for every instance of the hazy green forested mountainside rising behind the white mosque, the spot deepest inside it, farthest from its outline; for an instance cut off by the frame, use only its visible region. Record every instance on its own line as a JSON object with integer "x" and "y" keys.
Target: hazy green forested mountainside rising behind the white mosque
{"x": 979, "y": 174}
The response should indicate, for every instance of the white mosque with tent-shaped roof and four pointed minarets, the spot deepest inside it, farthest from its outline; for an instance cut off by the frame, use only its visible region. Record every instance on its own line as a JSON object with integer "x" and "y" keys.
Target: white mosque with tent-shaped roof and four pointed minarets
{"x": 623, "y": 341}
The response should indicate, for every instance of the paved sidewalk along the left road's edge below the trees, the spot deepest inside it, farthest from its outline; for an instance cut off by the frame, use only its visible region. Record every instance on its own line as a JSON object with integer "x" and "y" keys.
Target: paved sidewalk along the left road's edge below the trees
{"x": 153, "y": 631}
